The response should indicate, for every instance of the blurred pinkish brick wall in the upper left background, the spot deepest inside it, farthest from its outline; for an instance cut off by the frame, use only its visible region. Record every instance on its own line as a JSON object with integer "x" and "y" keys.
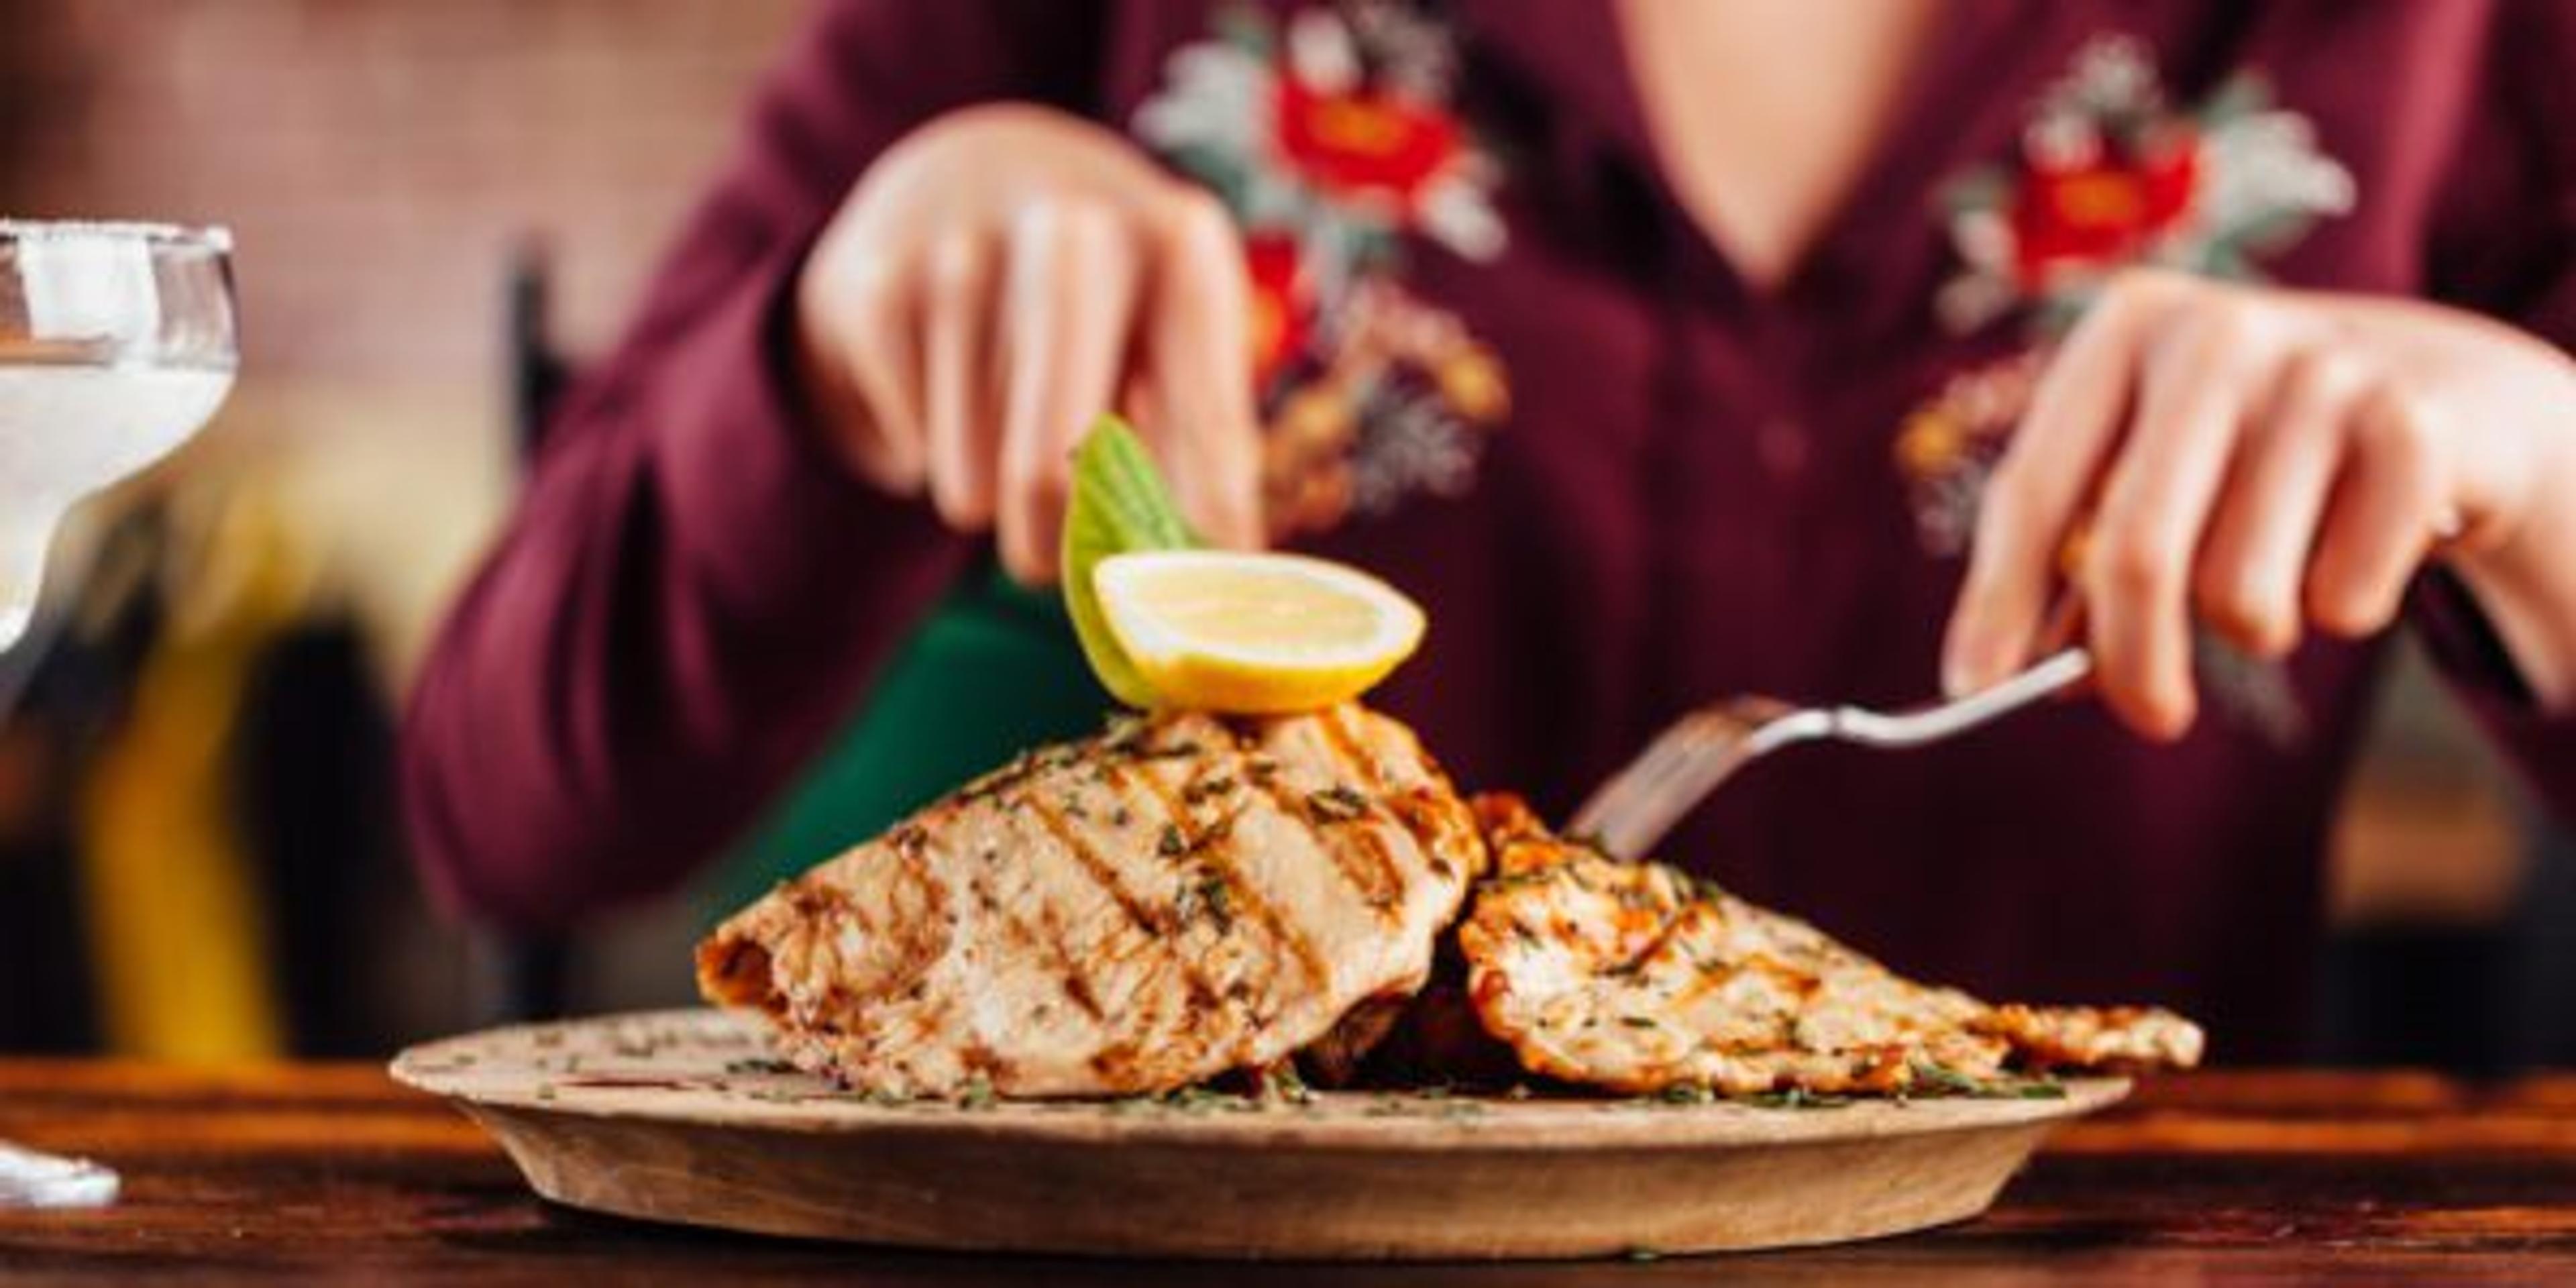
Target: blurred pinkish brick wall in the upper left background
{"x": 380, "y": 156}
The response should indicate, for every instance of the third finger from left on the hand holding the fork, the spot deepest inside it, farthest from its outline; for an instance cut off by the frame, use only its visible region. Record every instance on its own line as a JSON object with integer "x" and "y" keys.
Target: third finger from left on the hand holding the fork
{"x": 2255, "y": 558}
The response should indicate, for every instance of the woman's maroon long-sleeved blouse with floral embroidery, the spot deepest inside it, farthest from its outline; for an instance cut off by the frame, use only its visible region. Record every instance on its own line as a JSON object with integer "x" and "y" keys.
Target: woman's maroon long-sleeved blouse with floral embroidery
{"x": 1508, "y": 375}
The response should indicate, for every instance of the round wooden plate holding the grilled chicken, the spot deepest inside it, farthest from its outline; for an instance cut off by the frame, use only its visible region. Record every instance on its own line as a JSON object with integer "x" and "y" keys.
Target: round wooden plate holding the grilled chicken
{"x": 681, "y": 1117}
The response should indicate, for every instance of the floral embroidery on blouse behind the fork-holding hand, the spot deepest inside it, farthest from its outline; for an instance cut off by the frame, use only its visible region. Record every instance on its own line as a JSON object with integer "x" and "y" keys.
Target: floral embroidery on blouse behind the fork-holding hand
{"x": 2111, "y": 176}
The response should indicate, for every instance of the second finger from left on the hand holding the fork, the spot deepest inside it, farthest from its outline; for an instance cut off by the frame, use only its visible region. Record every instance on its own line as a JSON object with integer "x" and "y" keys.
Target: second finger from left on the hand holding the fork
{"x": 2157, "y": 504}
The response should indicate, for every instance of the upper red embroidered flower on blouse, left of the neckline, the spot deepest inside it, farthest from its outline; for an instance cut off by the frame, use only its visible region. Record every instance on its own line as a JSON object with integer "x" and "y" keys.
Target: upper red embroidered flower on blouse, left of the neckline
{"x": 1364, "y": 143}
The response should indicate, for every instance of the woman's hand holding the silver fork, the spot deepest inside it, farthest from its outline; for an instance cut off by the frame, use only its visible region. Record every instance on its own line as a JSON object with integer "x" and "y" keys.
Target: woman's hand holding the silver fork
{"x": 2268, "y": 460}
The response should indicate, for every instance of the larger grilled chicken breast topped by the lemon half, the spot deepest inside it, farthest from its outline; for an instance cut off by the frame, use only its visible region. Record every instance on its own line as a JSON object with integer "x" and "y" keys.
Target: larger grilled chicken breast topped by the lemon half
{"x": 1135, "y": 913}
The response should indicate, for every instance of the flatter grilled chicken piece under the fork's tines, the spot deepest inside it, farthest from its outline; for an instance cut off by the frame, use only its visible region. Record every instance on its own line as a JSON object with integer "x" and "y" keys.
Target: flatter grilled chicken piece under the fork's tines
{"x": 1640, "y": 978}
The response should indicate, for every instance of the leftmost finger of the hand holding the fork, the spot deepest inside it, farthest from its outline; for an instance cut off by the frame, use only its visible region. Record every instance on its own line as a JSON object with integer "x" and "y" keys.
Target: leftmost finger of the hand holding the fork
{"x": 2041, "y": 488}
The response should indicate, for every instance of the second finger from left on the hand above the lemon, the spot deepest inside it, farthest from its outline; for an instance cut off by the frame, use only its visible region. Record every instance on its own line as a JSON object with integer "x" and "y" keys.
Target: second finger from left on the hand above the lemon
{"x": 960, "y": 411}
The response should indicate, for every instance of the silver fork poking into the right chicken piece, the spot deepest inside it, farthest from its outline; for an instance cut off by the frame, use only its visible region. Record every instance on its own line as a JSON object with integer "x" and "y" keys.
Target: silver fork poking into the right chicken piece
{"x": 1632, "y": 813}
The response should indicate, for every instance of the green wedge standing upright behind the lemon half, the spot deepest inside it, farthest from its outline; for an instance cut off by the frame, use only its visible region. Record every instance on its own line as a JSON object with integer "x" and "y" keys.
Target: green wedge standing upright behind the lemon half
{"x": 1119, "y": 506}
